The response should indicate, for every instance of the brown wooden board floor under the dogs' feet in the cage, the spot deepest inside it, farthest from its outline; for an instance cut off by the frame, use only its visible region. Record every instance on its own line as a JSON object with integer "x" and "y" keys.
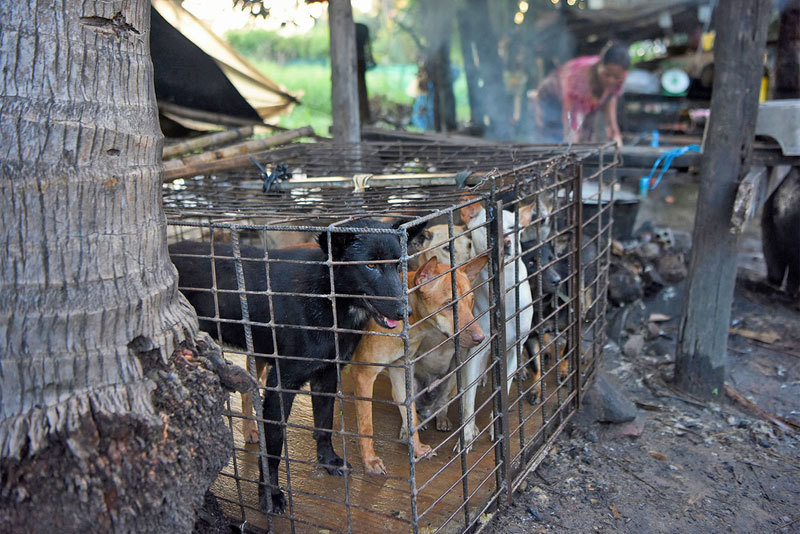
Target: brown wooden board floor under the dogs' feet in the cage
{"x": 371, "y": 503}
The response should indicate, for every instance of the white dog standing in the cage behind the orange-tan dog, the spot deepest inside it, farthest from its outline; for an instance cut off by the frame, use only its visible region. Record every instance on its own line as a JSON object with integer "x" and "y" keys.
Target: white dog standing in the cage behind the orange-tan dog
{"x": 475, "y": 217}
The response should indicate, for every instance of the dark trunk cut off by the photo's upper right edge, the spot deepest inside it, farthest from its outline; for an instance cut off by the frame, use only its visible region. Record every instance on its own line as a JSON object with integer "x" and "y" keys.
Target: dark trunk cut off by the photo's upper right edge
{"x": 787, "y": 60}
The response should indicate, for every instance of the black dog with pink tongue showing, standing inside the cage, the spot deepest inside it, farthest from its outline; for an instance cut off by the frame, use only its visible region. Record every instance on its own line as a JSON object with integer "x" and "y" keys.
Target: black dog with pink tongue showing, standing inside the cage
{"x": 313, "y": 349}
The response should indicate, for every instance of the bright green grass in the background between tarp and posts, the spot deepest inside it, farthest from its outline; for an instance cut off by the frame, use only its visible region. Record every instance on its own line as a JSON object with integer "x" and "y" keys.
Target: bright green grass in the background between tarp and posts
{"x": 314, "y": 81}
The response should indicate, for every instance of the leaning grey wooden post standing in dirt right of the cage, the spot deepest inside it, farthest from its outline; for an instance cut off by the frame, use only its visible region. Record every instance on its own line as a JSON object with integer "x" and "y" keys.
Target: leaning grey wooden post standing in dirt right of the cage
{"x": 739, "y": 62}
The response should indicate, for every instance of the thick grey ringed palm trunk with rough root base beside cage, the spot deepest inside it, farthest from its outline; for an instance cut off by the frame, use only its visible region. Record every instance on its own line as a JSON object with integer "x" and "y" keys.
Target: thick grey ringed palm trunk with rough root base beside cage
{"x": 96, "y": 411}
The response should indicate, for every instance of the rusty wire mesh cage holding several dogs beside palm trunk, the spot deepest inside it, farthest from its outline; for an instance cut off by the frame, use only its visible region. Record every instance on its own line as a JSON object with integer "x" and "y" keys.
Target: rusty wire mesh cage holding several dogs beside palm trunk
{"x": 427, "y": 317}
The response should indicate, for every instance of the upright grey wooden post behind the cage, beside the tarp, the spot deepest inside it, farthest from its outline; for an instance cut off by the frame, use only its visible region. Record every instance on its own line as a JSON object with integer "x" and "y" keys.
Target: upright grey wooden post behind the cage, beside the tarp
{"x": 344, "y": 85}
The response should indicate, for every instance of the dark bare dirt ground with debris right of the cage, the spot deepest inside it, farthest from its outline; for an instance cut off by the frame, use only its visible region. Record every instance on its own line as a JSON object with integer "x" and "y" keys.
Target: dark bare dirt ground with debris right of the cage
{"x": 683, "y": 465}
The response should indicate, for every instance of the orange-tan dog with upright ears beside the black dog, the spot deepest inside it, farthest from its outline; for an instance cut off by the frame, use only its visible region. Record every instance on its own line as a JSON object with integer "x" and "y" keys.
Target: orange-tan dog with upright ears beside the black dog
{"x": 431, "y": 299}
